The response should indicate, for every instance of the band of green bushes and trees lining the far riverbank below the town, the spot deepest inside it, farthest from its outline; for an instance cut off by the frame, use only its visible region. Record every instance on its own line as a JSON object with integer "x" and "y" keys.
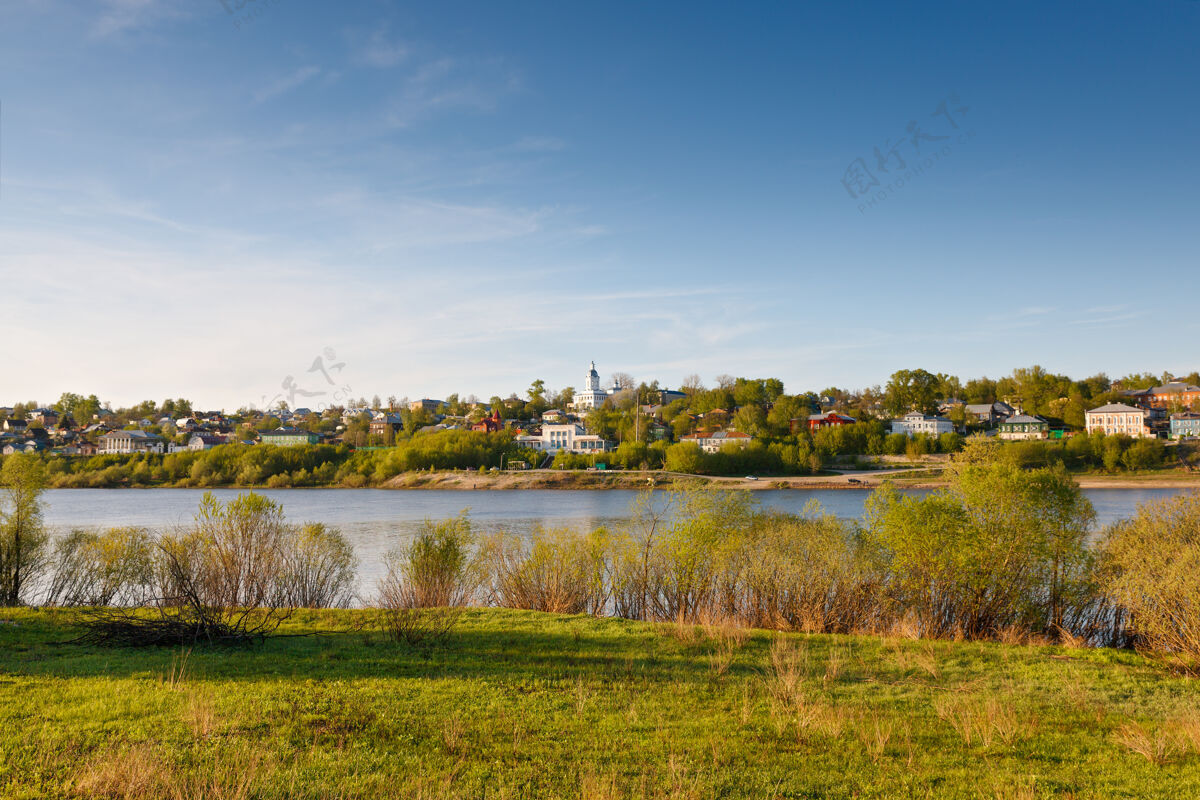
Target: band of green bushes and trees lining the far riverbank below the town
{"x": 449, "y": 450}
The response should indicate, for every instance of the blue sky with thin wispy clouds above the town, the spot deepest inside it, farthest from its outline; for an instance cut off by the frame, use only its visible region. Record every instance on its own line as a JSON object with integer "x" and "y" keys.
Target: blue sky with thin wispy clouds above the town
{"x": 196, "y": 202}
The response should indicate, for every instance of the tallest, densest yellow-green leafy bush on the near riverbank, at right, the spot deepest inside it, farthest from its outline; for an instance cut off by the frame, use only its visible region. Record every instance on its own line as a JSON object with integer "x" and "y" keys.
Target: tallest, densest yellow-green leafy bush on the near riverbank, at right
{"x": 1000, "y": 548}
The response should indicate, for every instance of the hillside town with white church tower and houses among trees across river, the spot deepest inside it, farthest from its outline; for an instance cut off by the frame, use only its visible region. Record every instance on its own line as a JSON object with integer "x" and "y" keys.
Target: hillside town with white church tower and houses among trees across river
{"x": 1031, "y": 405}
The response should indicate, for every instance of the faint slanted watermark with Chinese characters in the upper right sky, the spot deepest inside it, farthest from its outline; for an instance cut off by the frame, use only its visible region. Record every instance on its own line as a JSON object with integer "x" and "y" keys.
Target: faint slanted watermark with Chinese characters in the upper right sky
{"x": 896, "y": 164}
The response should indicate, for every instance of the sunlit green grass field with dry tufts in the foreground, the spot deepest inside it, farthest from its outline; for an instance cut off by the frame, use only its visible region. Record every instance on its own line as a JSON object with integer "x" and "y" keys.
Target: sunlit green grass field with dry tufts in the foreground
{"x": 519, "y": 705}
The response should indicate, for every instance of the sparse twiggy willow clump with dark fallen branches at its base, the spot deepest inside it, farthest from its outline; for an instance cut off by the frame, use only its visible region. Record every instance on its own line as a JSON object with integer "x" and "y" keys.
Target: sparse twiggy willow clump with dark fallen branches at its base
{"x": 233, "y": 576}
